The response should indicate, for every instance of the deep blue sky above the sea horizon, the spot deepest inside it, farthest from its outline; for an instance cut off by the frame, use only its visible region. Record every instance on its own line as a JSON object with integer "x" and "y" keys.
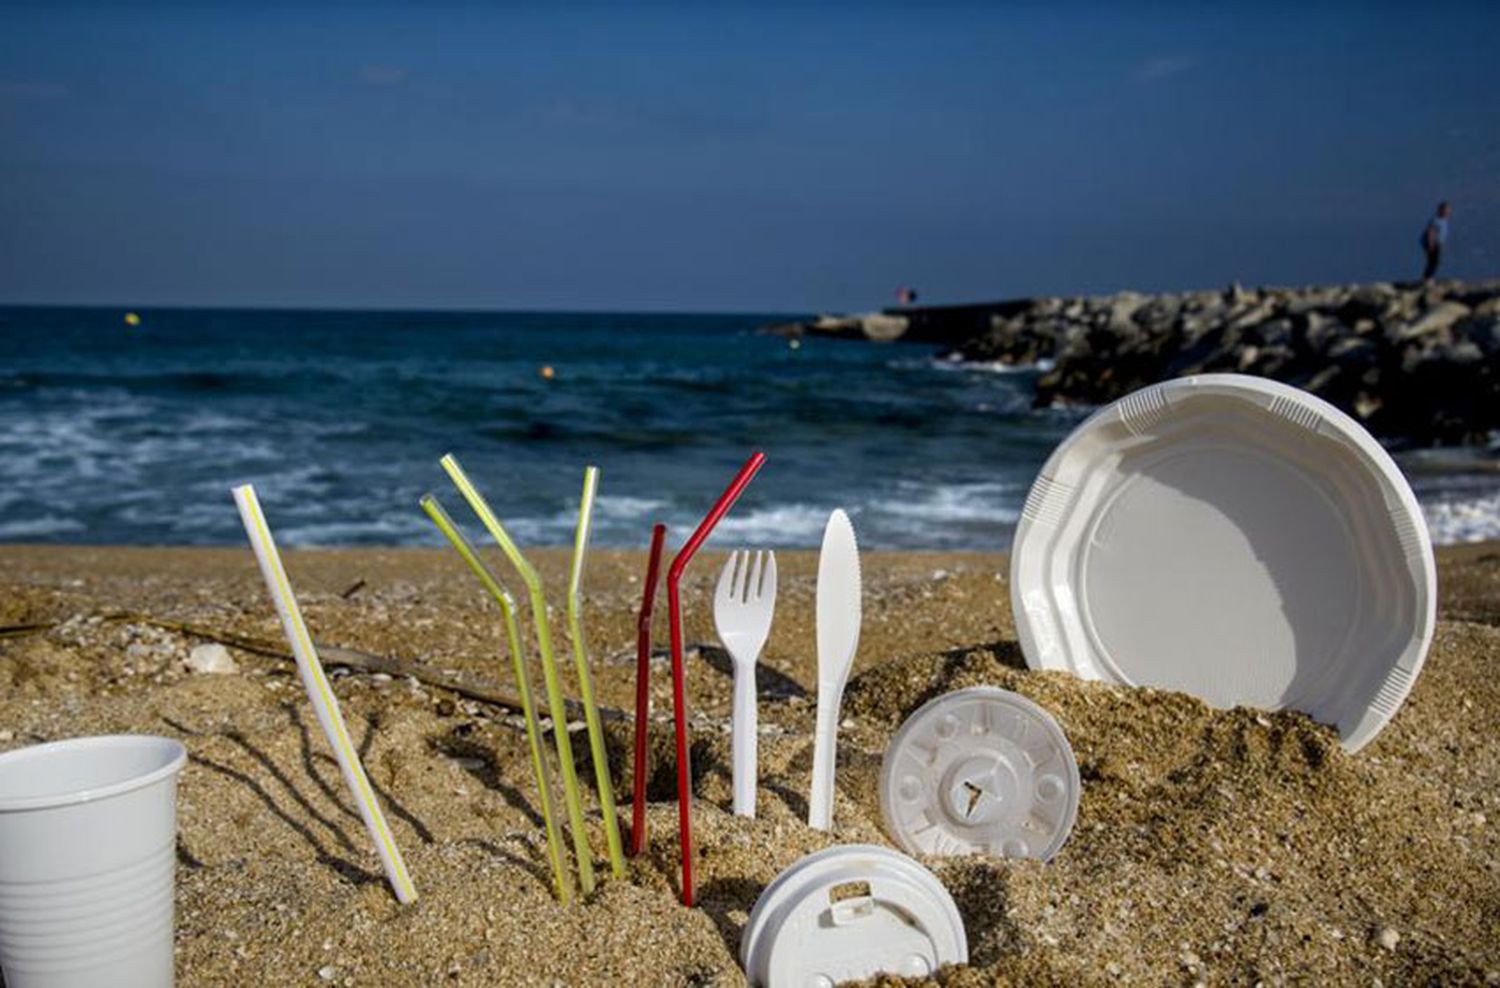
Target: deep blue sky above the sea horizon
{"x": 730, "y": 158}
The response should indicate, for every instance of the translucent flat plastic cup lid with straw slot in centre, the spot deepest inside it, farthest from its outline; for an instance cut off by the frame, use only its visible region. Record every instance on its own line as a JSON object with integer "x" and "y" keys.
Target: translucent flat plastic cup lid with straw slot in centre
{"x": 980, "y": 771}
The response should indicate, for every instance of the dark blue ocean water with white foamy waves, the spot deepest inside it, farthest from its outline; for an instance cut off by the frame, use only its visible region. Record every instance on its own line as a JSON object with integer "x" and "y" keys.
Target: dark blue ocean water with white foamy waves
{"x": 116, "y": 434}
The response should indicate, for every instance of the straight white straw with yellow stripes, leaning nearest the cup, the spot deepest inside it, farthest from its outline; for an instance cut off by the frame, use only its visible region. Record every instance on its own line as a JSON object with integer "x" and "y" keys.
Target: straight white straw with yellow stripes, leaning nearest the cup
{"x": 319, "y": 692}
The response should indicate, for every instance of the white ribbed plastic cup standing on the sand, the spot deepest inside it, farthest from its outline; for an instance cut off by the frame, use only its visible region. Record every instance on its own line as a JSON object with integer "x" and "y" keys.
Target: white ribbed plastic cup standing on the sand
{"x": 88, "y": 863}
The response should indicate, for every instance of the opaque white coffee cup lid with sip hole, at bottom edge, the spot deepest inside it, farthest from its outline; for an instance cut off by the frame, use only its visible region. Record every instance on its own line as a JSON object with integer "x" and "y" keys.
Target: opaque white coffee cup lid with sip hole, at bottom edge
{"x": 848, "y": 914}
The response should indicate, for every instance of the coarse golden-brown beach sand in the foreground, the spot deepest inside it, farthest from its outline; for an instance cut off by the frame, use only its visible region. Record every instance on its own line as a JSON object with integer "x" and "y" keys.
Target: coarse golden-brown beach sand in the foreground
{"x": 1219, "y": 848}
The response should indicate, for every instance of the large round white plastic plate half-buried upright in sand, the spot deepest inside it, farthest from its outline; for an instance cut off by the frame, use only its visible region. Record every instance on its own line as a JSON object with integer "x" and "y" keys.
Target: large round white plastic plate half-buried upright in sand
{"x": 1234, "y": 539}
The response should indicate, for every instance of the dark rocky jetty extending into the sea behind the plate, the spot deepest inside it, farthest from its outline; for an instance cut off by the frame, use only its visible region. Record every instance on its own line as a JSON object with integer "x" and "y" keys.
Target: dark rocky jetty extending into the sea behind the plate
{"x": 1418, "y": 365}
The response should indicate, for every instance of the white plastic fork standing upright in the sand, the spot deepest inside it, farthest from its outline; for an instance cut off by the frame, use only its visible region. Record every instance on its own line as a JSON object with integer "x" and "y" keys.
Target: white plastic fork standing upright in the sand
{"x": 743, "y": 609}
